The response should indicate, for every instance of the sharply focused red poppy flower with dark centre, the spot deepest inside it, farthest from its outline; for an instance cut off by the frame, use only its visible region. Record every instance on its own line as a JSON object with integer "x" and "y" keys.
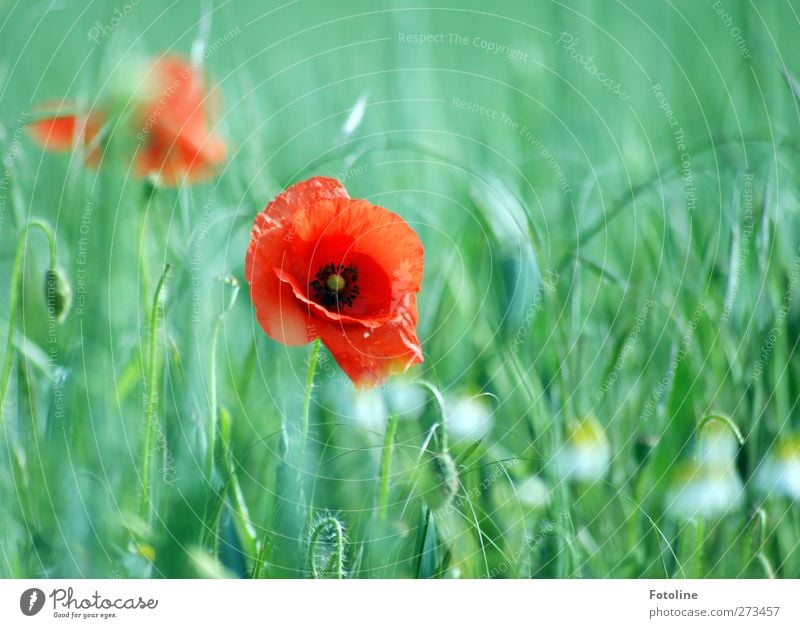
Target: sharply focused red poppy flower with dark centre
{"x": 321, "y": 264}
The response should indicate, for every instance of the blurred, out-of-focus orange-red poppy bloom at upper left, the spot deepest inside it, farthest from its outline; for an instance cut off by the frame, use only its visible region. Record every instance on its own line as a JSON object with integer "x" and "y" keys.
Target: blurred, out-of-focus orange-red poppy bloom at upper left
{"x": 170, "y": 123}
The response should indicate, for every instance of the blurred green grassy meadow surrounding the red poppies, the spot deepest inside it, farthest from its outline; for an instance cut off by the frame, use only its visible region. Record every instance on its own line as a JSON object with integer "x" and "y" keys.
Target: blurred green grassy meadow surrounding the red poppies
{"x": 607, "y": 194}
